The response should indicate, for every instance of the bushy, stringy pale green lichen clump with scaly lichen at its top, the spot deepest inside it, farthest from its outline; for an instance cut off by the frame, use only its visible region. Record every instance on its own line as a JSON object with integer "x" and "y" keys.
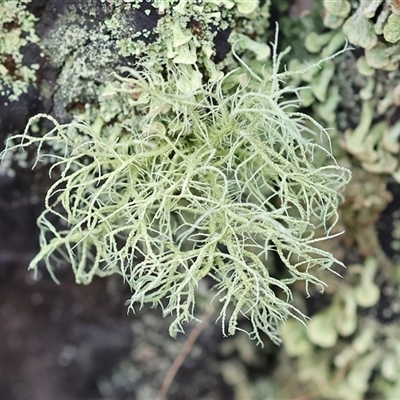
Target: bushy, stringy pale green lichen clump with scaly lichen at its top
{"x": 199, "y": 173}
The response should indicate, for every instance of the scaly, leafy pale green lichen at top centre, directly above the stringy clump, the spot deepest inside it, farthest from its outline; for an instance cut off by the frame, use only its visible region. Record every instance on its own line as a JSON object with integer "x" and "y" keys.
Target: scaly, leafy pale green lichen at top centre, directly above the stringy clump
{"x": 182, "y": 36}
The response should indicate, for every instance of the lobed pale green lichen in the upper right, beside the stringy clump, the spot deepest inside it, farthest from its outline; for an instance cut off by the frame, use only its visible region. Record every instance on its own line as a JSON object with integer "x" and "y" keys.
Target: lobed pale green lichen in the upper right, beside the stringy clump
{"x": 371, "y": 96}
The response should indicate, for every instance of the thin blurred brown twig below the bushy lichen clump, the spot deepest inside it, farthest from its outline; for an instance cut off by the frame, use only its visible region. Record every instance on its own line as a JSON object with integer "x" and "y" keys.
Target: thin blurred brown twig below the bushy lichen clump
{"x": 190, "y": 341}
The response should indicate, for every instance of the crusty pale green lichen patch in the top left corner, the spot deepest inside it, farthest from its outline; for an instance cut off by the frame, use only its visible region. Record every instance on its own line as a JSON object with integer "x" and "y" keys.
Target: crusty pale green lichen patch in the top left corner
{"x": 17, "y": 30}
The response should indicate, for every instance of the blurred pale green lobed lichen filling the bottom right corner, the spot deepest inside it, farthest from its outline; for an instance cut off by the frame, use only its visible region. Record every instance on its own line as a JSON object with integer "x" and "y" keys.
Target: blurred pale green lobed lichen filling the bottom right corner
{"x": 352, "y": 354}
